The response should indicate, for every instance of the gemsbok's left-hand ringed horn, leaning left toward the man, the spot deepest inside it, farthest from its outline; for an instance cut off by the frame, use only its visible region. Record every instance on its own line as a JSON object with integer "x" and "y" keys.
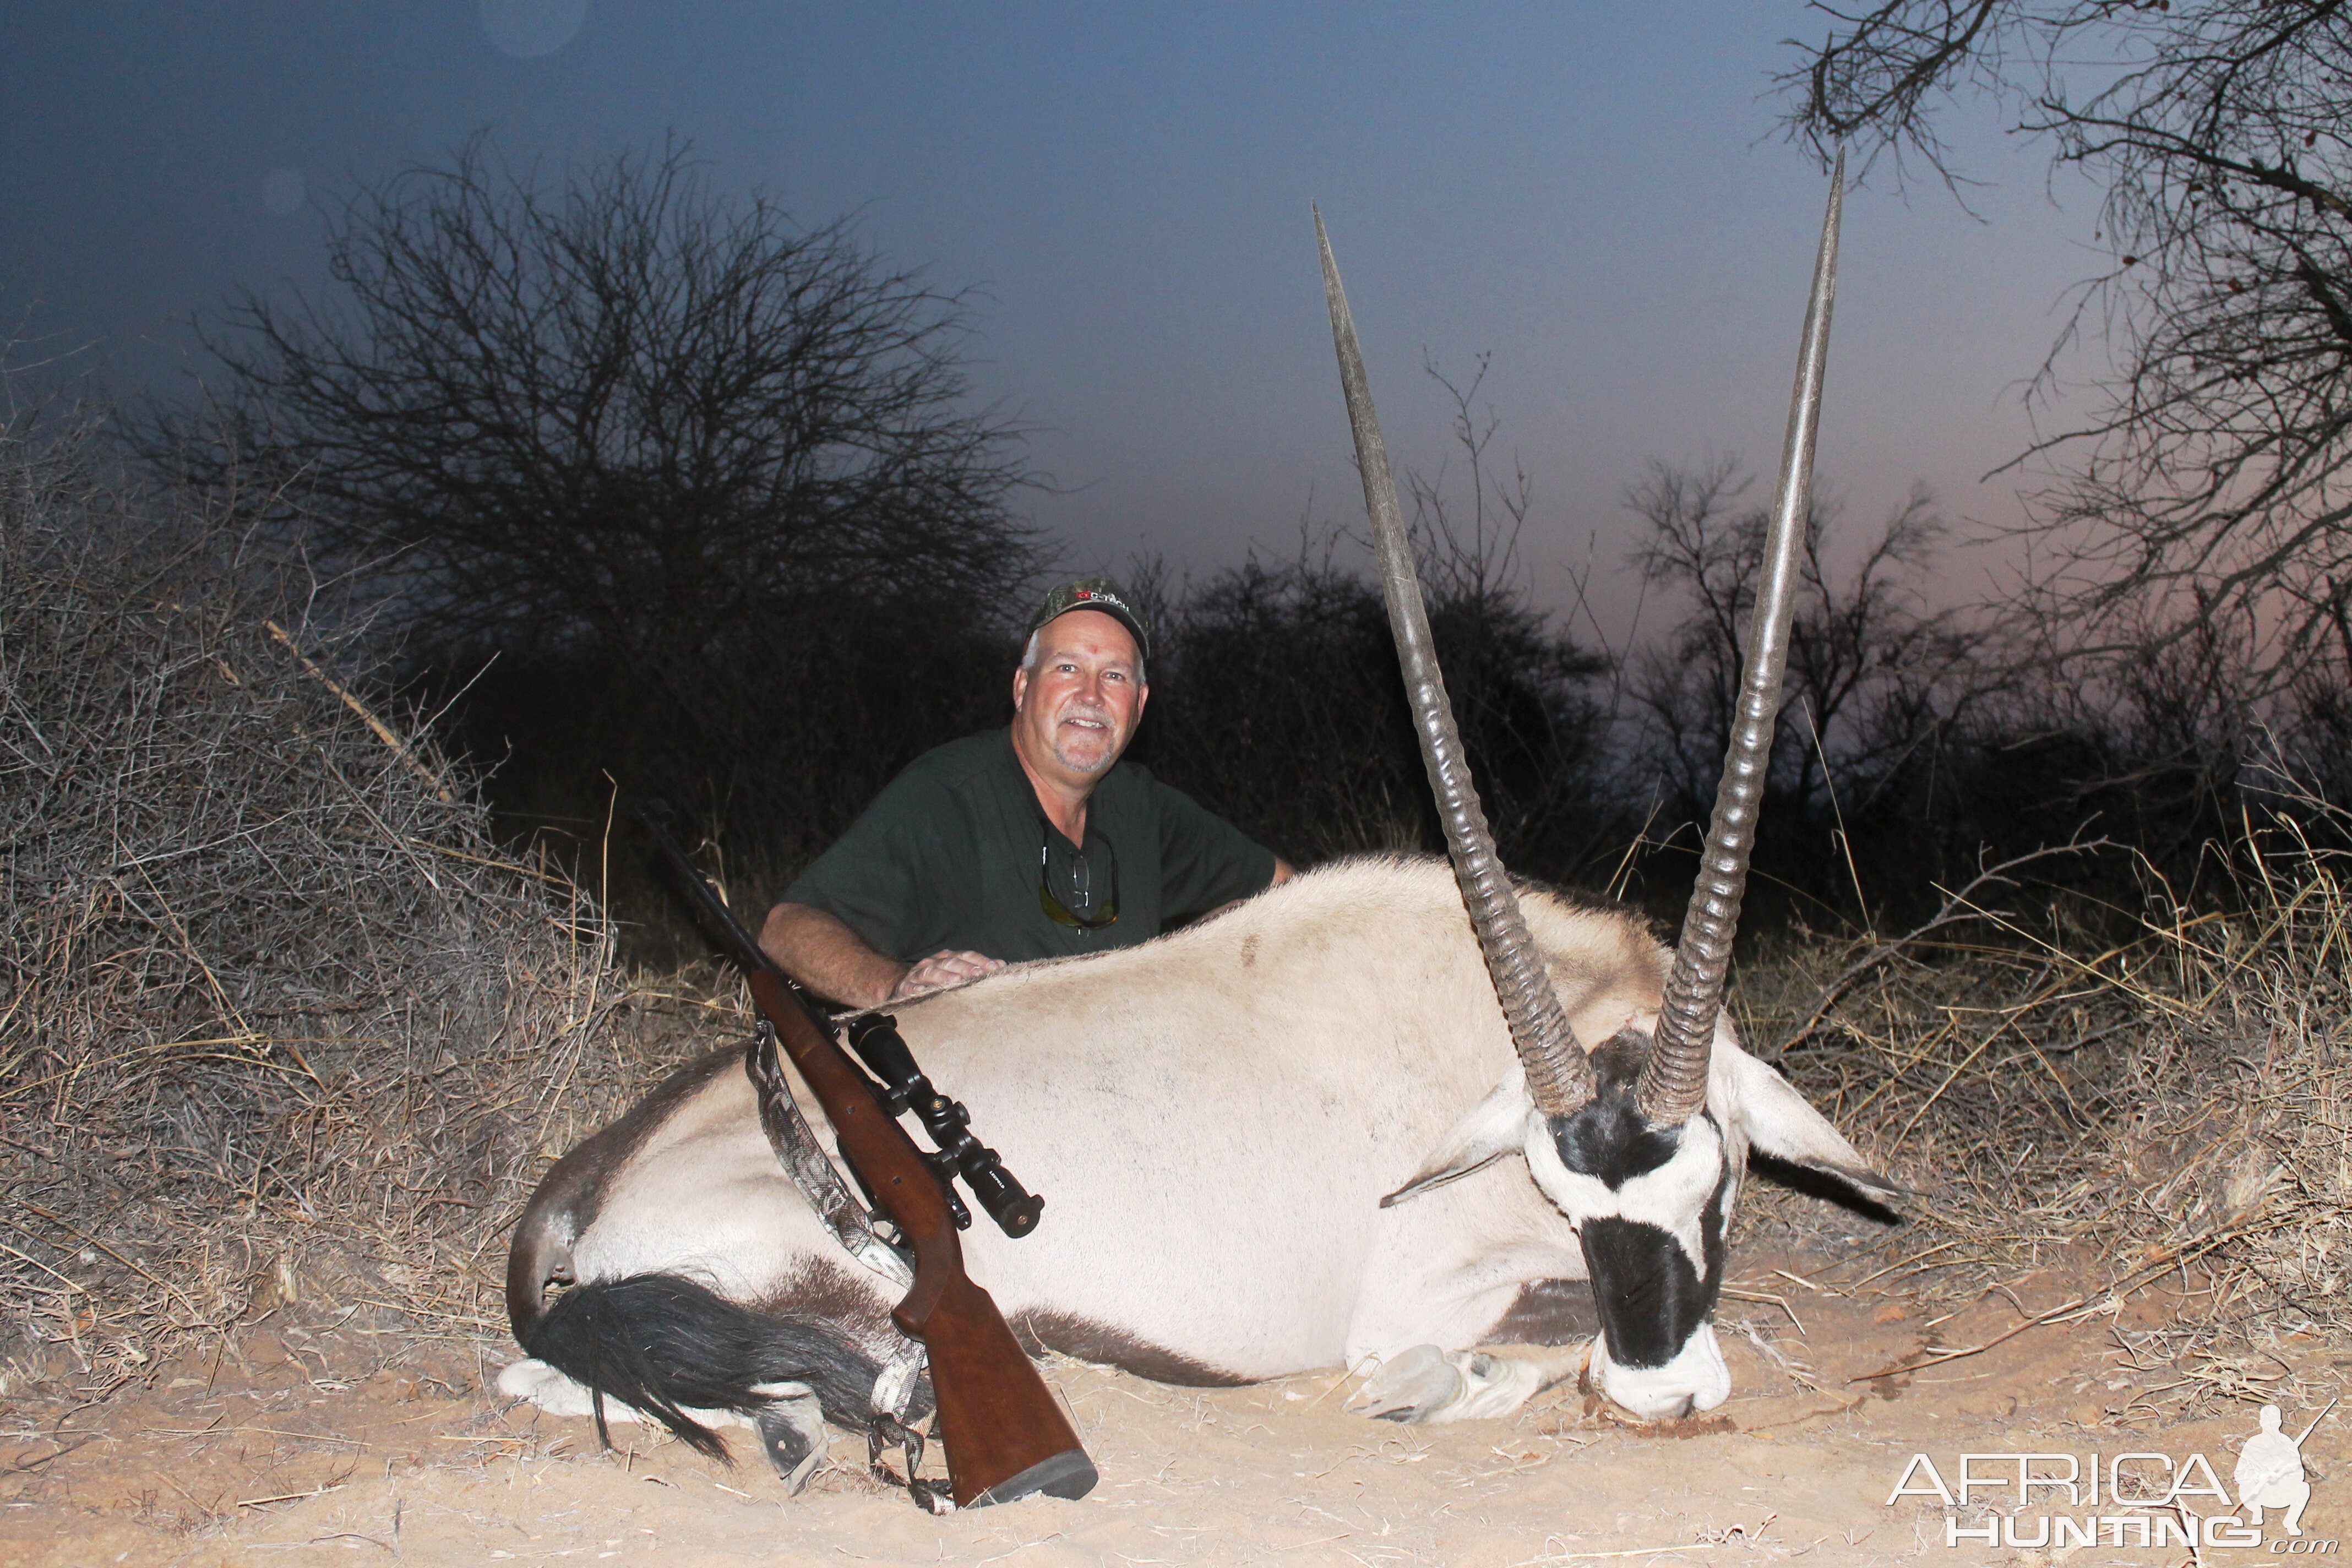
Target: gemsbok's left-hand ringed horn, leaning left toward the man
{"x": 1558, "y": 1076}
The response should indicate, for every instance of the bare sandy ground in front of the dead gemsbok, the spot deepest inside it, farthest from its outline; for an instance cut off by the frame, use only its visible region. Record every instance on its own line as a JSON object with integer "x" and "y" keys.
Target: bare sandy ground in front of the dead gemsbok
{"x": 333, "y": 1447}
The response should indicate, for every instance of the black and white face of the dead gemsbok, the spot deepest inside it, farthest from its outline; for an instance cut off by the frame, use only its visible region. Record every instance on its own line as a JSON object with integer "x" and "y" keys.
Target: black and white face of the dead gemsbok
{"x": 1650, "y": 1207}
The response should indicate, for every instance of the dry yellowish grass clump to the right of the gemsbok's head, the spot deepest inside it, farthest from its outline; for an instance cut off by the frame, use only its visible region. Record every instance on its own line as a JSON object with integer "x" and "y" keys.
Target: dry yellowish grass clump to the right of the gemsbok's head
{"x": 2153, "y": 1099}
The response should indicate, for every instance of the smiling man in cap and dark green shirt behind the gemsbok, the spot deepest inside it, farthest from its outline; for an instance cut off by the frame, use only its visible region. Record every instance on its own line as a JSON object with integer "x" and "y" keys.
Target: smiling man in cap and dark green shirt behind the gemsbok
{"x": 1020, "y": 843}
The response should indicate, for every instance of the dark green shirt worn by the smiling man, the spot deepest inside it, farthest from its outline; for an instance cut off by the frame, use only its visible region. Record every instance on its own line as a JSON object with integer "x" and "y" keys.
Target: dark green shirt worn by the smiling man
{"x": 949, "y": 859}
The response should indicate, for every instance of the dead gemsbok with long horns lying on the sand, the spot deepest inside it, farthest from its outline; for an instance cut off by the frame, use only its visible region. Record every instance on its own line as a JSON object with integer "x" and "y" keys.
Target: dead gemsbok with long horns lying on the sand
{"x": 1361, "y": 1118}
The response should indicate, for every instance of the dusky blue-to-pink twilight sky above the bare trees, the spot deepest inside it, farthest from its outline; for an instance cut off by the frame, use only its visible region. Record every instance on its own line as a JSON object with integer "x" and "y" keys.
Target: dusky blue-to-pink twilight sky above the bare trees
{"x": 1591, "y": 192}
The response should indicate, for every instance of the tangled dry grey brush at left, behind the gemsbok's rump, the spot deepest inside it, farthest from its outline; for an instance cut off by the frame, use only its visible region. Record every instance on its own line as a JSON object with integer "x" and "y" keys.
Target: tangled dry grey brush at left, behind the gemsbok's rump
{"x": 276, "y": 1017}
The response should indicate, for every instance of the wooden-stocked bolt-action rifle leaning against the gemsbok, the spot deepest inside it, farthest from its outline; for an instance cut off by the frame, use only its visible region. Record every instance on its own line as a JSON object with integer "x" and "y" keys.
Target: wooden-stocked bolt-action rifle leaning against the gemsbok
{"x": 1001, "y": 1426}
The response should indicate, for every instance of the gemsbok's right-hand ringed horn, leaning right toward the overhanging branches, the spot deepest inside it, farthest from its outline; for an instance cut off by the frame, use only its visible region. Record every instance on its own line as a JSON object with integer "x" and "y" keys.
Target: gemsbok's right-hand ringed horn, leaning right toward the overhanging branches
{"x": 1676, "y": 1078}
